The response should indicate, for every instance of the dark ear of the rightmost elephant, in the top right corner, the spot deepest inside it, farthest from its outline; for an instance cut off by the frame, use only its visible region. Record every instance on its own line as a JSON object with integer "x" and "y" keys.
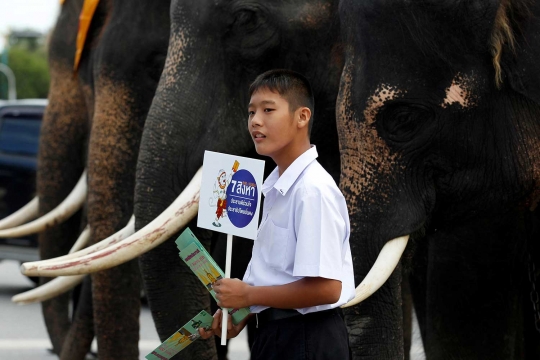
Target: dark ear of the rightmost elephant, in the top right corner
{"x": 521, "y": 67}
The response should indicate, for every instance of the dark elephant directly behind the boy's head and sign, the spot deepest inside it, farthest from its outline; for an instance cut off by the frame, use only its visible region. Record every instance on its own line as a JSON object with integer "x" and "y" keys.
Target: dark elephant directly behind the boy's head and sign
{"x": 203, "y": 94}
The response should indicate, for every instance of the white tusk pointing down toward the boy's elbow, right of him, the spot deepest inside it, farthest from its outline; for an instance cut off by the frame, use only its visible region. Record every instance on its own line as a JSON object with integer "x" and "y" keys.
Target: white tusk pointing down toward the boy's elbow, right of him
{"x": 385, "y": 264}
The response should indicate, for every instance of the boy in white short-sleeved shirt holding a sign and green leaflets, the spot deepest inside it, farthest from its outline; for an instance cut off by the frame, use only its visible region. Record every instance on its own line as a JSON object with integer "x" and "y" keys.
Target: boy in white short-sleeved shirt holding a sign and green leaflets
{"x": 301, "y": 265}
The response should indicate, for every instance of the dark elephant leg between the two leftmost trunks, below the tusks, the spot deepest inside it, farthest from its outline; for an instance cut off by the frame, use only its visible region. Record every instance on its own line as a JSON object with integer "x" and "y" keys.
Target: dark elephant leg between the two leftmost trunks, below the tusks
{"x": 81, "y": 334}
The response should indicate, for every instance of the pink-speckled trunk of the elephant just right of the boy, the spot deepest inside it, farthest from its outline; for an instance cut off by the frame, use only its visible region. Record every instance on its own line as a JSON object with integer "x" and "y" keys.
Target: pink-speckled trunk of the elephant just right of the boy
{"x": 380, "y": 210}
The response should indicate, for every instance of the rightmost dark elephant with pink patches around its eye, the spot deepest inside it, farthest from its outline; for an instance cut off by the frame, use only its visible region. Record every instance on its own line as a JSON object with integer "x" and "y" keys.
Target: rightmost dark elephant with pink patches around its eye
{"x": 440, "y": 140}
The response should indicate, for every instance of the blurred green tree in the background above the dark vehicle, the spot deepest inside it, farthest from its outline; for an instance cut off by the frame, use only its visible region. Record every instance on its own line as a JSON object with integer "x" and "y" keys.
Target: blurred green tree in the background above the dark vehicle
{"x": 30, "y": 66}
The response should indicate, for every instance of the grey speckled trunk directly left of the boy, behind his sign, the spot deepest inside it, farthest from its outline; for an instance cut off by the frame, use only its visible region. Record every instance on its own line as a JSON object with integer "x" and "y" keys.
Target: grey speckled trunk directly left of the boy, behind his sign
{"x": 179, "y": 128}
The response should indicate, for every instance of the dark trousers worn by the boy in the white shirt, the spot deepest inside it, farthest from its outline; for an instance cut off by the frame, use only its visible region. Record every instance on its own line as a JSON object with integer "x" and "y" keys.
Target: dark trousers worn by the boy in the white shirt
{"x": 315, "y": 336}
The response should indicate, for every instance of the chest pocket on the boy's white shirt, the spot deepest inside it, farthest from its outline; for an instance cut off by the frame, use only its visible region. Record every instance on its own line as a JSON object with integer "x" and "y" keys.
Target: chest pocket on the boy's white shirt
{"x": 274, "y": 251}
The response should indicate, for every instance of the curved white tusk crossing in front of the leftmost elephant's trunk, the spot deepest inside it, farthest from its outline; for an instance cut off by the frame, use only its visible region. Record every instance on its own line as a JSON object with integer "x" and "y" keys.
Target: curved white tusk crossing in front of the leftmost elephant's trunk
{"x": 62, "y": 212}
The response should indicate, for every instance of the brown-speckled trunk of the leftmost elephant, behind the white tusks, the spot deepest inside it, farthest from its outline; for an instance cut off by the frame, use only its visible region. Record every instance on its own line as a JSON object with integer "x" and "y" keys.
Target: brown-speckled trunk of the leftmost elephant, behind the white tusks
{"x": 60, "y": 164}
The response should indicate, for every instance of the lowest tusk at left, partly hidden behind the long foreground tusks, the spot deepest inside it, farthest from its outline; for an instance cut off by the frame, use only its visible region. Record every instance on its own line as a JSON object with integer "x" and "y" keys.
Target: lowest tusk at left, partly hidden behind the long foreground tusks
{"x": 56, "y": 286}
